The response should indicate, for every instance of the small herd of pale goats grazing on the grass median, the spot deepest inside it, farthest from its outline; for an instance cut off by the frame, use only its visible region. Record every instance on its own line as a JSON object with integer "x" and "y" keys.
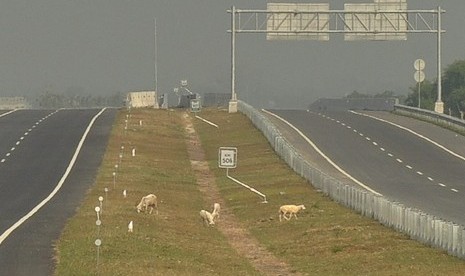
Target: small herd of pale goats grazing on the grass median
{"x": 150, "y": 201}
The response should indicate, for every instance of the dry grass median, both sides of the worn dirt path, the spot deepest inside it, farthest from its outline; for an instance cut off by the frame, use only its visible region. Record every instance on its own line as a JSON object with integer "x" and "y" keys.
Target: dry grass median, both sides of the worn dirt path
{"x": 327, "y": 239}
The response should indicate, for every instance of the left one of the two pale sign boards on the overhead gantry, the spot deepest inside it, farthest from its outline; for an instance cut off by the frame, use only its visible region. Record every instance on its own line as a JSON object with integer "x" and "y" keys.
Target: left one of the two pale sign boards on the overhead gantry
{"x": 284, "y": 21}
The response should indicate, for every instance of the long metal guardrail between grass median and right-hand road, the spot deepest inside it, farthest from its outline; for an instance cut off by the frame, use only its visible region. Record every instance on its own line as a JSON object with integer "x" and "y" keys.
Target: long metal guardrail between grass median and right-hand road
{"x": 420, "y": 226}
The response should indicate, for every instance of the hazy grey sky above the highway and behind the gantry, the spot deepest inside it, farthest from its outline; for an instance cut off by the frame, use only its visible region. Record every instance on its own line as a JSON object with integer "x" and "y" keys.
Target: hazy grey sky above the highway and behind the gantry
{"x": 107, "y": 46}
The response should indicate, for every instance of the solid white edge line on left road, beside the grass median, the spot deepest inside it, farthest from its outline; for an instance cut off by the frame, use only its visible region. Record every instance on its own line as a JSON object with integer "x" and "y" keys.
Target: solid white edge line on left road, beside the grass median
{"x": 58, "y": 186}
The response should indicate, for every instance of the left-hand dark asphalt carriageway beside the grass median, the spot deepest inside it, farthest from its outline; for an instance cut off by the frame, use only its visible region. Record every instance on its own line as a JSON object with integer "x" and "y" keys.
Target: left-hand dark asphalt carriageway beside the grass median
{"x": 36, "y": 150}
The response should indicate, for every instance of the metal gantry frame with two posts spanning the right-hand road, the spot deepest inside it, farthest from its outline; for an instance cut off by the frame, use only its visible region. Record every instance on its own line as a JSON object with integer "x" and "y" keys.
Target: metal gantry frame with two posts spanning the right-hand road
{"x": 335, "y": 21}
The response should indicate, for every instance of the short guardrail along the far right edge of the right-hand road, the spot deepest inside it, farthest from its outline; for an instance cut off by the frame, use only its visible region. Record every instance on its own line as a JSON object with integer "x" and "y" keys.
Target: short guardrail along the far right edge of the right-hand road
{"x": 430, "y": 116}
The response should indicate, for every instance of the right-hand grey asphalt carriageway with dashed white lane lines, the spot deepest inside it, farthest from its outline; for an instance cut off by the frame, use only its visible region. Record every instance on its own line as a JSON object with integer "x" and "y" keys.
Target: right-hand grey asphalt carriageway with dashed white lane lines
{"x": 408, "y": 161}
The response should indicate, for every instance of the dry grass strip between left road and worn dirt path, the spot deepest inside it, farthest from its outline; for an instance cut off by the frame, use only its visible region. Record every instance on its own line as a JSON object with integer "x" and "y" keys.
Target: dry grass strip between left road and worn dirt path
{"x": 172, "y": 243}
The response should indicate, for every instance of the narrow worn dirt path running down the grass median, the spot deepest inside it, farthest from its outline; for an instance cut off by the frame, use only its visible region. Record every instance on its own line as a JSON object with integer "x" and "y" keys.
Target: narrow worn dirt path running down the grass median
{"x": 238, "y": 236}
